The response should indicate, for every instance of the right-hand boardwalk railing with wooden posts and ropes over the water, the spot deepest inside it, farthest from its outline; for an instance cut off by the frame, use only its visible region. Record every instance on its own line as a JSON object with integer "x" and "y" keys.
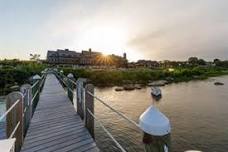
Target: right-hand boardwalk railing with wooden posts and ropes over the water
{"x": 84, "y": 104}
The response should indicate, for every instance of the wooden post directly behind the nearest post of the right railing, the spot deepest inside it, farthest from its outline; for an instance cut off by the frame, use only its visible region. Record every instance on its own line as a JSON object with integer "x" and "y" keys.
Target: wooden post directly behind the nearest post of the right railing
{"x": 80, "y": 97}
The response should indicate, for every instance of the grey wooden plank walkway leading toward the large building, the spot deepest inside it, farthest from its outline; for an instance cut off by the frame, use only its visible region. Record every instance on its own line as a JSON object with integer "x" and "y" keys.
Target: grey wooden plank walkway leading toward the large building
{"x": 55, "y": 125}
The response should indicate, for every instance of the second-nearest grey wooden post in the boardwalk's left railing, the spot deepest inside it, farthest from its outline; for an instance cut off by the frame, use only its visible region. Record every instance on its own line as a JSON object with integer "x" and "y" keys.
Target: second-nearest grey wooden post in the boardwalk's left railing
{"x": 27, "y": 92}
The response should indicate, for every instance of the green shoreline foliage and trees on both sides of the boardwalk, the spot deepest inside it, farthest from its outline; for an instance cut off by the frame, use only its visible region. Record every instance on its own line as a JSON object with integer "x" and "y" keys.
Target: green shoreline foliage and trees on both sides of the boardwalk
{"x": 17, "y": 72}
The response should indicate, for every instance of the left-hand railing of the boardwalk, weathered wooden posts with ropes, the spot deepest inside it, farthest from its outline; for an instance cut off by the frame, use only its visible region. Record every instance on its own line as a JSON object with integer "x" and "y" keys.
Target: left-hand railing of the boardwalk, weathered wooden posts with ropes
{"x": 20, "y": 107}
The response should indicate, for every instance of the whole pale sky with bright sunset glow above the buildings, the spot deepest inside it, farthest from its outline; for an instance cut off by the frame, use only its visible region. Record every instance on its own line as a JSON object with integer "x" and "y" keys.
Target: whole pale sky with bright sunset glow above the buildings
{"x": 144, "y": 29}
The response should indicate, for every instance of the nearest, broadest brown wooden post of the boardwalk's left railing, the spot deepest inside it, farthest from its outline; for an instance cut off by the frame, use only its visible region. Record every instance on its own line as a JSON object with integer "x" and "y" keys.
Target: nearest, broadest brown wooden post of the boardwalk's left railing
{"x": 15, "y": 116}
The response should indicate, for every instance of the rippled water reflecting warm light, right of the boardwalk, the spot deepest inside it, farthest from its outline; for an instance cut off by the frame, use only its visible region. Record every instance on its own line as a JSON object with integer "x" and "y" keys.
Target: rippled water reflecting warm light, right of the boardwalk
{"x": 198, "y": 112}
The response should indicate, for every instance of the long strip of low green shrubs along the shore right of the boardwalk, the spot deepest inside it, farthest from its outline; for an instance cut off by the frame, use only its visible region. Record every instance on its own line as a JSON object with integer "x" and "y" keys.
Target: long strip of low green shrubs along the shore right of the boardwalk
{"x": 143, "y": 76}
